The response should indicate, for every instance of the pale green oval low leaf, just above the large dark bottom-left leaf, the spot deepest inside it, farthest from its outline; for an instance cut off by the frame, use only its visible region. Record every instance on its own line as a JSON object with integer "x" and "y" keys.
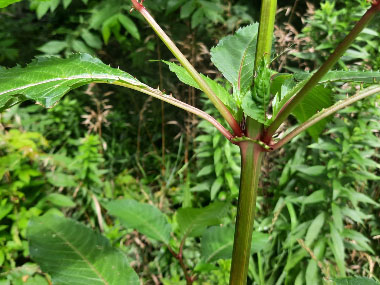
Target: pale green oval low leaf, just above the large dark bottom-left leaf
{"x": 145, "y": 218}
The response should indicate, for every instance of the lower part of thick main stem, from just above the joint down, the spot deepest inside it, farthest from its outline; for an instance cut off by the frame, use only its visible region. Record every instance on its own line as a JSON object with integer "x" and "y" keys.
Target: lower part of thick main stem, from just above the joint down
{"x": 251, "y": 157}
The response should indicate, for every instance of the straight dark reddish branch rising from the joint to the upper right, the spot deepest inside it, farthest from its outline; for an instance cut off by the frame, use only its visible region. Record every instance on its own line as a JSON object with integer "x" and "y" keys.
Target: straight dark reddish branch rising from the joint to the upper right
{"x": 331, "y": 61}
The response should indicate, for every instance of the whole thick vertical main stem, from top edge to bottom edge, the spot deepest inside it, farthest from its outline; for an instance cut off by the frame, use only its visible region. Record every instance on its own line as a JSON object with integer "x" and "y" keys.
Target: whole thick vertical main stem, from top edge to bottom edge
{"x": 251, "y": 158}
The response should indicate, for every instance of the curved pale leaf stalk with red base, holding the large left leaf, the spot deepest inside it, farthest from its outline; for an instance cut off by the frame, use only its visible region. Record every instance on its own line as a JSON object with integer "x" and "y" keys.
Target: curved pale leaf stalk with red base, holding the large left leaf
{"x": 171, "y": 100}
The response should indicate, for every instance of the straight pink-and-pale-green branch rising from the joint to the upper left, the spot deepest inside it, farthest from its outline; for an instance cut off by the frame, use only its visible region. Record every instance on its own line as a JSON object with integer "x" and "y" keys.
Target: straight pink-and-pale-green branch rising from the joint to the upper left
{"x": 190, "y": 69}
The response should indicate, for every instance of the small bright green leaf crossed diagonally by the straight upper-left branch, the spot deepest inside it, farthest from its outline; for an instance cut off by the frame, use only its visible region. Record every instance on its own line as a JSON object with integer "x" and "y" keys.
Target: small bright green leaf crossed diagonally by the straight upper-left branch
{"x": 219, "y": 90}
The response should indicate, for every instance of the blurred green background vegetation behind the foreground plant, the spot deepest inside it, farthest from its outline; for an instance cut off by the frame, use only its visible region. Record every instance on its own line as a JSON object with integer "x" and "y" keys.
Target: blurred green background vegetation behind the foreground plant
{"x": 101, "y": 143}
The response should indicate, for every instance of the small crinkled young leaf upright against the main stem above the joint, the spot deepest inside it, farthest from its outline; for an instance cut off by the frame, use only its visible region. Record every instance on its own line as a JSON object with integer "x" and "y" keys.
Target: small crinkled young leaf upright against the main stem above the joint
{"x": 255, "y": 103}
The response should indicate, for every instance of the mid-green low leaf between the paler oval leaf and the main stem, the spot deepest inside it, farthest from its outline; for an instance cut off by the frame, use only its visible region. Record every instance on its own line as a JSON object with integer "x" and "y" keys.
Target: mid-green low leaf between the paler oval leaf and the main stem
{"x": 193, "y": 221}
